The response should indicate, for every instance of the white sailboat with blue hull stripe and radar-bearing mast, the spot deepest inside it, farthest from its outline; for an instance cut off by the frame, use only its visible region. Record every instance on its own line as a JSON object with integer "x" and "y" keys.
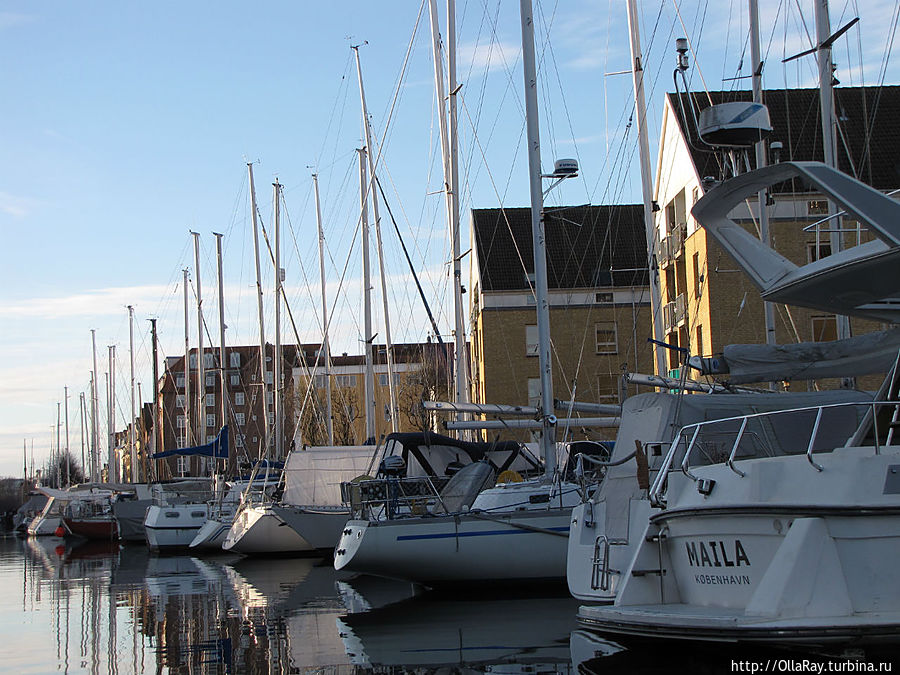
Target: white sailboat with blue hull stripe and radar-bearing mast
{"x": 484, "y": 525}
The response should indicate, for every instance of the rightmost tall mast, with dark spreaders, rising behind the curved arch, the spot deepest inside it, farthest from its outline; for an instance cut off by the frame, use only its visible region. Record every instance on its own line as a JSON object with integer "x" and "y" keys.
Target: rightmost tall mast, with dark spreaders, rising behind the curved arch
{"x": 829, "y": 131}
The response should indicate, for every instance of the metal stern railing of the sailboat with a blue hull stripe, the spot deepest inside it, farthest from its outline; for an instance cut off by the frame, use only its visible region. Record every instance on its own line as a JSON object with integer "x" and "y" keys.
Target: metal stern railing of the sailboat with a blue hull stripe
{"x": 390, "y": 498}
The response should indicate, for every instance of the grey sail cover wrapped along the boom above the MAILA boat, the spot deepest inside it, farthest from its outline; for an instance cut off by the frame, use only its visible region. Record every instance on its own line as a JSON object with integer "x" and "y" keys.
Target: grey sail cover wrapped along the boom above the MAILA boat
{"x": 861, "y": 355}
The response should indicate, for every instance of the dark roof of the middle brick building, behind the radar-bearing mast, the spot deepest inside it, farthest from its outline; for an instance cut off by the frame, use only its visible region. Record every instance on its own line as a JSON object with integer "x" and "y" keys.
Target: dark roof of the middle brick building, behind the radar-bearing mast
{"x": 587, "y": 247}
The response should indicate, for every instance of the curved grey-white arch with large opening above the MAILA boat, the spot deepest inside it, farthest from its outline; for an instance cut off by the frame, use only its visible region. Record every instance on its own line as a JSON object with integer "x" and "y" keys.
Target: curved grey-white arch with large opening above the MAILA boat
{"x": 859, "y": 281}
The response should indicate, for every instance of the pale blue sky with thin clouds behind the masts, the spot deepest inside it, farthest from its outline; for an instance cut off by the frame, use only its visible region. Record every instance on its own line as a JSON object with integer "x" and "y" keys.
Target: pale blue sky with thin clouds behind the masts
{"x": 126, "y": 126}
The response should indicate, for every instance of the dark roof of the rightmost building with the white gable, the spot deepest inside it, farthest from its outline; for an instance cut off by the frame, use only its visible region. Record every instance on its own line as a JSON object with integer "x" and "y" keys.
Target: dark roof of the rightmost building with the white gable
{"x": 868, "y": 135}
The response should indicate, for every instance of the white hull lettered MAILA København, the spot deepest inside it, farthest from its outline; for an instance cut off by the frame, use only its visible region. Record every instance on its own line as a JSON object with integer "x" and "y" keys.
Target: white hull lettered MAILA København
{"x": 784, "y": 553}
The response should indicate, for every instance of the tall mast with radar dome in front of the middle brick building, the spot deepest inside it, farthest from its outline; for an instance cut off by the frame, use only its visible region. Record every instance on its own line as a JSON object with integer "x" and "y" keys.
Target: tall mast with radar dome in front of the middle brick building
{"x": 548, "y": 419}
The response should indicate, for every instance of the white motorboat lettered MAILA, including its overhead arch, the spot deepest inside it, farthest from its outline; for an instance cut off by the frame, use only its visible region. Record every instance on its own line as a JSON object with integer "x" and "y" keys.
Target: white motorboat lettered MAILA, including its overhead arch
{"x": 781, "y": 526}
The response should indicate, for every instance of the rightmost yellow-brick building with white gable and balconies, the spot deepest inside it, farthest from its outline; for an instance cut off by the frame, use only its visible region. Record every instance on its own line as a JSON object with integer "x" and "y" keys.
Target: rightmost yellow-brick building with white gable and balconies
{"x": 708, "y": 301}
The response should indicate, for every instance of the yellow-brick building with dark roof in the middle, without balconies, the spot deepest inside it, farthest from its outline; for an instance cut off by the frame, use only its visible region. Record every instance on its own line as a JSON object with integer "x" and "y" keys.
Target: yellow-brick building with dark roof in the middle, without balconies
{"x": 599, "y": 303}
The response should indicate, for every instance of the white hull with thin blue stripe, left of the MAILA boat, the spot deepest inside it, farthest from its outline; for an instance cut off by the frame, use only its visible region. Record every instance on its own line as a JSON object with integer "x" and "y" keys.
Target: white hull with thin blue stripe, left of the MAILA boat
{"x": 527, "y": 545}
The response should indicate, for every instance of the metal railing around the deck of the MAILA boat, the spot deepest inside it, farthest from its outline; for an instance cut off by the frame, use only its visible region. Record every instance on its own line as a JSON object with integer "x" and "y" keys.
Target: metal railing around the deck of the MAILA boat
{"x": 799, "y": 431}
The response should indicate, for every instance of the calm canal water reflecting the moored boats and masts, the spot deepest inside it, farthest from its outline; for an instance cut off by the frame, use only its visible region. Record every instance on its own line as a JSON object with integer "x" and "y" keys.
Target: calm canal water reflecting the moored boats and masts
{"x": 109, "y": 609}
